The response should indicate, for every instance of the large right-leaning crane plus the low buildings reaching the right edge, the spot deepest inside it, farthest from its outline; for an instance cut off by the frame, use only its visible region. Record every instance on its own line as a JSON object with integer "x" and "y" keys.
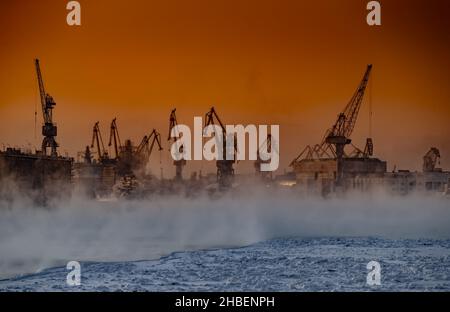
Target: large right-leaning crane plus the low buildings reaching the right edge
{"x": 328, "y": 168}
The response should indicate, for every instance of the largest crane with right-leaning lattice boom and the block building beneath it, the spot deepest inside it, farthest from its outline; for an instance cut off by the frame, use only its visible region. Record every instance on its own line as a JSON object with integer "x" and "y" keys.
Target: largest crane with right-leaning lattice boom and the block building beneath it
{"x": 327, "y": 167}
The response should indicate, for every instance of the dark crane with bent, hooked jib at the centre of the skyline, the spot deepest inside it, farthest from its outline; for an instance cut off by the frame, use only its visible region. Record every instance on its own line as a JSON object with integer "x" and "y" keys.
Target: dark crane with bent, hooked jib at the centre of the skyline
{"x": 225, "y": 171}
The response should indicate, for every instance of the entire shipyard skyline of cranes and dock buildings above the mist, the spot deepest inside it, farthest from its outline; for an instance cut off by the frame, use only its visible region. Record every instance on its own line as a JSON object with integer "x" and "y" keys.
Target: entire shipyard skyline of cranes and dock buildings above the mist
{"x": 333, "y": 166}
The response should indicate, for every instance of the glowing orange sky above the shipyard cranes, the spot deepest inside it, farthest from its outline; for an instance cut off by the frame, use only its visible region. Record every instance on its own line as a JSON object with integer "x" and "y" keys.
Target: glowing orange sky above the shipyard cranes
{"x": 293, "y": 63}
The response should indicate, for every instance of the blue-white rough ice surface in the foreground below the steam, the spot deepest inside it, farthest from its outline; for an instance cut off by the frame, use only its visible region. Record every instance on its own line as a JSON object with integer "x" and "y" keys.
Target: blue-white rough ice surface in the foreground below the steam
{"x": 291, "y": 264}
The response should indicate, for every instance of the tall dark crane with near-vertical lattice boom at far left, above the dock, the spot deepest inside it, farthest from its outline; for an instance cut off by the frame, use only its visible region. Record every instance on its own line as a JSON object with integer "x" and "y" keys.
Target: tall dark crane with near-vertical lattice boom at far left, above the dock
{"x": 49, "y": 129}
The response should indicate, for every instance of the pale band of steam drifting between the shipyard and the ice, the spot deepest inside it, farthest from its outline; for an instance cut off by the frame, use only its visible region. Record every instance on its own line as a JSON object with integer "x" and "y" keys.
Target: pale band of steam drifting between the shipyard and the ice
{"x": 33, "y": 238}
